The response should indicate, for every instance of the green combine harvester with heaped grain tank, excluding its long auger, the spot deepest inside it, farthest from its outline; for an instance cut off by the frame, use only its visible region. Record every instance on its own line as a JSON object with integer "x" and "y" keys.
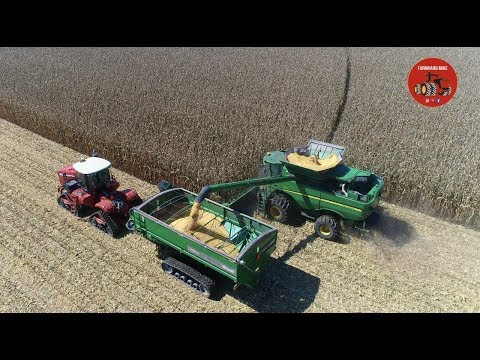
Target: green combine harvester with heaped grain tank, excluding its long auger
{"x": 319, "y": 187}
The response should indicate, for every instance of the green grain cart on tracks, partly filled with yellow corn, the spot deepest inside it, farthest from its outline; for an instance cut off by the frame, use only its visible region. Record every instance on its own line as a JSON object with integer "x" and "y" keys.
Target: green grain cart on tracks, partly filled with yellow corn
{"x": 226, "y": 241}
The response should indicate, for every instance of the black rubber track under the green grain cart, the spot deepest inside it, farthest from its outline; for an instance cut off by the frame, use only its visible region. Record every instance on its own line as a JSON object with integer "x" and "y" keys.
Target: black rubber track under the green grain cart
{"x": 188, "y": 275}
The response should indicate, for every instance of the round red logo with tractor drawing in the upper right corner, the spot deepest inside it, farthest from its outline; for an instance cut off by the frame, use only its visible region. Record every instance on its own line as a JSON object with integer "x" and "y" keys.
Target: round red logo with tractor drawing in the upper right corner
{"x": 432, "y": 82}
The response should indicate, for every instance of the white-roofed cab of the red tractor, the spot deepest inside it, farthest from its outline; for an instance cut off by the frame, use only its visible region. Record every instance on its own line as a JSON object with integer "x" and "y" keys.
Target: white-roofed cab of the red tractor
{"x": 93, "y": 174}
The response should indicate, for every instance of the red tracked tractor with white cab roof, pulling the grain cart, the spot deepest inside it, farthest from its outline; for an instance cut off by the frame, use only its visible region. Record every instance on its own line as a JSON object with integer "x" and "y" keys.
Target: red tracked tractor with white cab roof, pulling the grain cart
{"x": 87, "y": 186}
